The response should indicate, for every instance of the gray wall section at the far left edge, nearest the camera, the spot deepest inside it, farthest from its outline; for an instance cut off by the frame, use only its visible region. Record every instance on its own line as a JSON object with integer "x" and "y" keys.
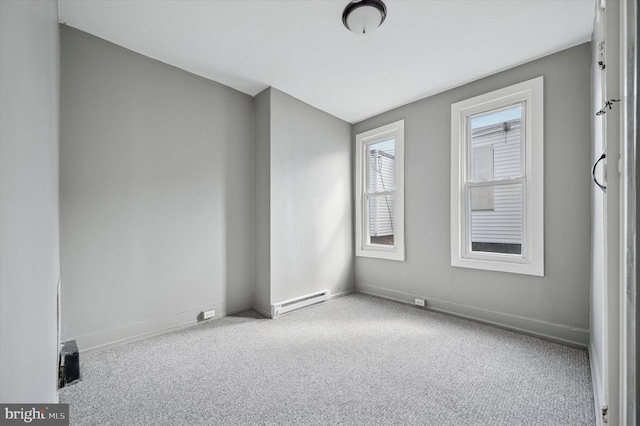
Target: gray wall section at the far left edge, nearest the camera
{"x": 29, "y": 253}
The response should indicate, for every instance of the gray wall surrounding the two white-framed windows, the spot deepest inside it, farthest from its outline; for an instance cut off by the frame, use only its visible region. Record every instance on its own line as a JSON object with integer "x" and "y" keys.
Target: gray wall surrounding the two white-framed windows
{"x": 556, "y": 305}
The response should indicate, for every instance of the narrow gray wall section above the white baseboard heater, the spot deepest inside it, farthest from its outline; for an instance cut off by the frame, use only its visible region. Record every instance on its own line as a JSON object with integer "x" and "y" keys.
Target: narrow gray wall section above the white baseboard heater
{"x": 311, "y": 193}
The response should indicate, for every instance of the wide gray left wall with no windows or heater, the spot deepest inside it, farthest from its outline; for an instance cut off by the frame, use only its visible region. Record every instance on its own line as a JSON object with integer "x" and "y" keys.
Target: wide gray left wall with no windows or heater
{"x": 156, "y": 194}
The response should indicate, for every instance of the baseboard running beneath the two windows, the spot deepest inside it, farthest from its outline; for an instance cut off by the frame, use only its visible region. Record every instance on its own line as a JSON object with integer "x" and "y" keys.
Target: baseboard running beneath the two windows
{"x": 566, "y": 335}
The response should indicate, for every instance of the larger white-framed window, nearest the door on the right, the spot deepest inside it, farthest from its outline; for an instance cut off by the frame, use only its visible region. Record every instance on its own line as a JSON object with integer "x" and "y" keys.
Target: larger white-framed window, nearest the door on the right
{"x": 497, "y": 180}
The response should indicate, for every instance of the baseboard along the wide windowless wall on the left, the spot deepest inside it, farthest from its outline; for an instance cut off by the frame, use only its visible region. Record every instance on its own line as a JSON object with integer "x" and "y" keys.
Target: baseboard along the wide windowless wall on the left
{"x": 106, "y": 339}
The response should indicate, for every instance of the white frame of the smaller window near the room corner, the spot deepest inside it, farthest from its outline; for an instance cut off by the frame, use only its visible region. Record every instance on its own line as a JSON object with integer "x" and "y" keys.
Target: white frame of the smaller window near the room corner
{"x": 363, "y": 247}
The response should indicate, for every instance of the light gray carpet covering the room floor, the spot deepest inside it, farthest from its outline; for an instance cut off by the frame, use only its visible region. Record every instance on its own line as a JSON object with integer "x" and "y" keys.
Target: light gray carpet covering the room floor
{"x": 354, "y": 360}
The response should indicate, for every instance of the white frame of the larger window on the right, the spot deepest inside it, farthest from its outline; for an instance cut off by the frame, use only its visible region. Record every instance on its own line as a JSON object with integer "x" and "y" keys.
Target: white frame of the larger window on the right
{"x": 531, "y": 261}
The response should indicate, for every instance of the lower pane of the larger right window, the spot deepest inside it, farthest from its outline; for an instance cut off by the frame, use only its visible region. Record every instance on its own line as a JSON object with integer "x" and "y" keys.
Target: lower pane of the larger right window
{"x": 499, "y": 229}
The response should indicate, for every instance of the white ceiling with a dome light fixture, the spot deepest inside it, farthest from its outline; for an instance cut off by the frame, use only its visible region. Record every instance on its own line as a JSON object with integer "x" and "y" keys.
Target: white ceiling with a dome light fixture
{"x": 301, "y": 47}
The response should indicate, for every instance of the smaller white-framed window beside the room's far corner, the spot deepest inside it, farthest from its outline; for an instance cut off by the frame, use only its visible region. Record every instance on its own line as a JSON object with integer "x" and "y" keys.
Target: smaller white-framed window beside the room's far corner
{"x": 380, "y": 192}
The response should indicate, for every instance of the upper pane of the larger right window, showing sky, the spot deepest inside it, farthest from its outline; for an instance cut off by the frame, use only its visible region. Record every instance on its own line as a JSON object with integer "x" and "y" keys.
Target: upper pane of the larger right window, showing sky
{"x": 497, "y": 145}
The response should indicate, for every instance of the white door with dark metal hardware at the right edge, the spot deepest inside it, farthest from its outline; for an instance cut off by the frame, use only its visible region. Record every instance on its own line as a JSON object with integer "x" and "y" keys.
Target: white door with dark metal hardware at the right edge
{"x": 605, "y": 311}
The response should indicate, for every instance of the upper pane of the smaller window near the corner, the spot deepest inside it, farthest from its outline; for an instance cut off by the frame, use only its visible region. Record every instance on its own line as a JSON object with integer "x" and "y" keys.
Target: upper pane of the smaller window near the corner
{"x": 382, "y": 158}
